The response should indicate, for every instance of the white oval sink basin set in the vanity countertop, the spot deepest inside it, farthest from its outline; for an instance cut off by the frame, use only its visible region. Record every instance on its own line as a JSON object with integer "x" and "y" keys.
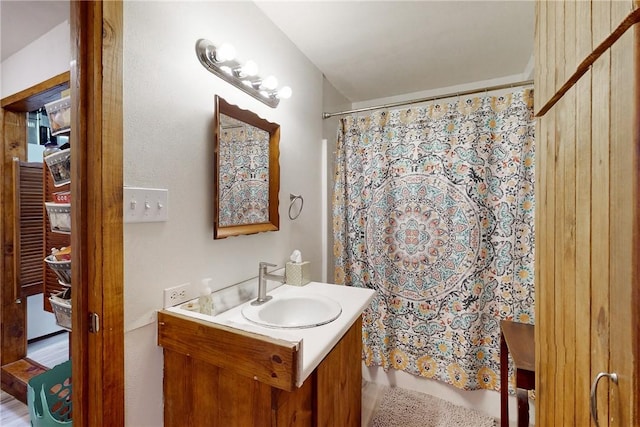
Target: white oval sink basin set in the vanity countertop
{"x": 293, "y": 311}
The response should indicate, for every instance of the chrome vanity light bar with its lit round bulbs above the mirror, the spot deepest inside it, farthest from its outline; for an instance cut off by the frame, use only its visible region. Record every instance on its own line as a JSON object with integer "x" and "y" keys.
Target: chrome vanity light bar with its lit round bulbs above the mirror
{"x": 221, "y": 61}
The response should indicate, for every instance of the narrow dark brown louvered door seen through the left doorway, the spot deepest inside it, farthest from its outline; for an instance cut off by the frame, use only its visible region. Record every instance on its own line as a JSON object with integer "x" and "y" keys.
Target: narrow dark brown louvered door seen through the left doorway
{"x": 28, "y": 244}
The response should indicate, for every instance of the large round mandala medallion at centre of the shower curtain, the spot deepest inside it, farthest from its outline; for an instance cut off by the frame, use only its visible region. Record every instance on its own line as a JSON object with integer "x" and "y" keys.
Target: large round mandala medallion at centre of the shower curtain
{"x": 423, "y": 241}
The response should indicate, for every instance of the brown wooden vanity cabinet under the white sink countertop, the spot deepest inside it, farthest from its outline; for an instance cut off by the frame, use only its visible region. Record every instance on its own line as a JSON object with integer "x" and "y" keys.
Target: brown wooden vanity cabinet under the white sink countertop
{"x": 219, "y": 376}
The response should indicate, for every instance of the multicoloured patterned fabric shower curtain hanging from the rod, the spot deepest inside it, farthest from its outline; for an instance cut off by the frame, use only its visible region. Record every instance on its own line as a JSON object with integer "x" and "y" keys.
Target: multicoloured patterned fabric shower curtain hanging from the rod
{"x": 433, "y": 208}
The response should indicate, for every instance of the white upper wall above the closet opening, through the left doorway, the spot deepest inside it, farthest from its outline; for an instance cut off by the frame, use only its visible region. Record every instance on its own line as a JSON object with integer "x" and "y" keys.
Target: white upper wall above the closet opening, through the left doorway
{"x": 44, "y": 58}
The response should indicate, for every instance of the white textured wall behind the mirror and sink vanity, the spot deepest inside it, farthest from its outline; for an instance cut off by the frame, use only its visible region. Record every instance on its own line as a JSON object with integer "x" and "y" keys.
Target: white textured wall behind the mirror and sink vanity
{"x": 168, "y": 143}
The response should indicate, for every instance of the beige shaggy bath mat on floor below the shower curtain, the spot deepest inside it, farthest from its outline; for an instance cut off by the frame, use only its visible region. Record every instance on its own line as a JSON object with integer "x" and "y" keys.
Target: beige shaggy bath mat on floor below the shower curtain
{"x": 406, "y": 408}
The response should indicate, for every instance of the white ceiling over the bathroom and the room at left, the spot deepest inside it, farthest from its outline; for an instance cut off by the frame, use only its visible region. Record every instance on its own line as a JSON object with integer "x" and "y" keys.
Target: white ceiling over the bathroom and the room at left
{"x": 366, "y": 49}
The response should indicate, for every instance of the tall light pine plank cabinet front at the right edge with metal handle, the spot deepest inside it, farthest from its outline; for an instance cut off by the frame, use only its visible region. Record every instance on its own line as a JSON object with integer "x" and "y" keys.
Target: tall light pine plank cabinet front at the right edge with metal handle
{"x": 586, "y": 215}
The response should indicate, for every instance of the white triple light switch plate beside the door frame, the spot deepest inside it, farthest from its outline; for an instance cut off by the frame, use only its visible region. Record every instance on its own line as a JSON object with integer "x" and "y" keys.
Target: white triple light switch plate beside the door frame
{"x": 145, "y": 204}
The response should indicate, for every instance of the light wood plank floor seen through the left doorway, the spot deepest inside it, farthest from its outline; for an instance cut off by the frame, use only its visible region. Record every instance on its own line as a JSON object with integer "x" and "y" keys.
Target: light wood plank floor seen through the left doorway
{"x": 49, "y": 352}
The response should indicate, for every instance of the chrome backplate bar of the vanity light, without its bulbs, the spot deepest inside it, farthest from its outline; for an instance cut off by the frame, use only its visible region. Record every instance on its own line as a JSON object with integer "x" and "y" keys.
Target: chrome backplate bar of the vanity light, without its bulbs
{"x": 206, "y": 52}
